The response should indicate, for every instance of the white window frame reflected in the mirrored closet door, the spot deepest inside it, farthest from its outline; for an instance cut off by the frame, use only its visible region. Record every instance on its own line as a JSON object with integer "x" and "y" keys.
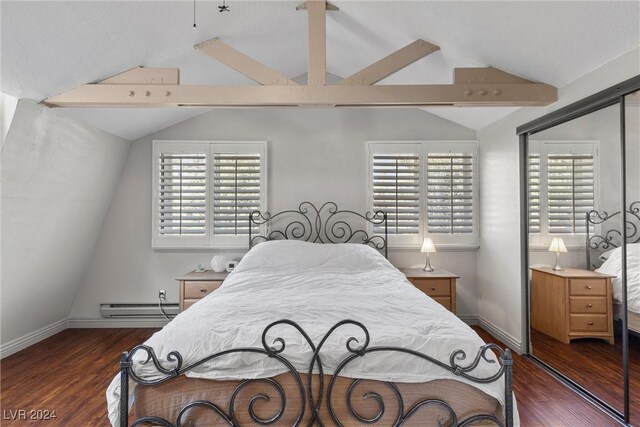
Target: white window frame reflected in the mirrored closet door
{"x": 543, "y": 238}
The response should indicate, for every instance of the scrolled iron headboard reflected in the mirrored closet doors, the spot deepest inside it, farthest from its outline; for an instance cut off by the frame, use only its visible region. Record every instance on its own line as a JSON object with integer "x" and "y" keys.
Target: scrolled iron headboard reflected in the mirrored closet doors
{"x": 612, "y": 237}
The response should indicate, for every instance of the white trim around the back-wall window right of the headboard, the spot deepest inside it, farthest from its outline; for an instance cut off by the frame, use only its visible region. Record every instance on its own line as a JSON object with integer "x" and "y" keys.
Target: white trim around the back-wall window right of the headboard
{"x": 444, "y": 242}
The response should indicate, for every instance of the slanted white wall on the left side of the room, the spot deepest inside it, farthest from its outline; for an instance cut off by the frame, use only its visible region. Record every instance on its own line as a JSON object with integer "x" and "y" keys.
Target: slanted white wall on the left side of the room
{"x": 58, "y": 177}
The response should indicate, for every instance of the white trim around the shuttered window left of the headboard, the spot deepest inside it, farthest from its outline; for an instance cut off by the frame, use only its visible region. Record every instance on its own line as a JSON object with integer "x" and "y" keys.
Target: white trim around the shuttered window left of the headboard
{"x": 209, "y": 240}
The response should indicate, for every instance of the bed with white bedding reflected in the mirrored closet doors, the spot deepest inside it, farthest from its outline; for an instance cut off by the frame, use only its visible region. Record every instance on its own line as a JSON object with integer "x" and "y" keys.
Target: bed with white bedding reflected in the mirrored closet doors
{"x": 604, "y": 255}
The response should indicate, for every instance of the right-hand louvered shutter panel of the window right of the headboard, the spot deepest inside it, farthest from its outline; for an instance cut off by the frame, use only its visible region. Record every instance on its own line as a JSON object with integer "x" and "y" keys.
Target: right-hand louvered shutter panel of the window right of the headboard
{"x": 449, "y": 193}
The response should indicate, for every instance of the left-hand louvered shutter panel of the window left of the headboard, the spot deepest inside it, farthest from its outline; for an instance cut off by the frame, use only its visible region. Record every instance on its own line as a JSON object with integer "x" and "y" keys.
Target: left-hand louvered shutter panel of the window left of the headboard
{"x": 182, "y": 194}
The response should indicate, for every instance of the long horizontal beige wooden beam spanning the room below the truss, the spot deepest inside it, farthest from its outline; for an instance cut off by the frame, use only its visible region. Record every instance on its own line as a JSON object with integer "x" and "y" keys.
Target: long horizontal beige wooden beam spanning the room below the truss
{"x": 106, "y": 95}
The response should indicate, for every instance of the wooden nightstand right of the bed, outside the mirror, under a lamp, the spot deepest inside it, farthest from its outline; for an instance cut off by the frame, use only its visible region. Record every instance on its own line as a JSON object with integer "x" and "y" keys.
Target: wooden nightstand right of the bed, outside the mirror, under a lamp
{"x": 439, "y": 285}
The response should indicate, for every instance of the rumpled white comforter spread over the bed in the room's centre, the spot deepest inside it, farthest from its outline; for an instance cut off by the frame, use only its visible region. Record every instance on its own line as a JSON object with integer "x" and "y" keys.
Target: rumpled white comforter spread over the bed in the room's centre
{"x": 316, "y": 286}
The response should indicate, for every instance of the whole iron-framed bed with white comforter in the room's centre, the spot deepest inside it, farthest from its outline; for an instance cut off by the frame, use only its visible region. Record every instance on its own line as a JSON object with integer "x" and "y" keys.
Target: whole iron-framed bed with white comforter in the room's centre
{"x": 304, "y": 332}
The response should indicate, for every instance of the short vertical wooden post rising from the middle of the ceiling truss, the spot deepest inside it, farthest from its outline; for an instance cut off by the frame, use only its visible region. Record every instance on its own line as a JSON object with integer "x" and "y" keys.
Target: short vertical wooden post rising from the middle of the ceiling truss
{"x": 317, "y": 43}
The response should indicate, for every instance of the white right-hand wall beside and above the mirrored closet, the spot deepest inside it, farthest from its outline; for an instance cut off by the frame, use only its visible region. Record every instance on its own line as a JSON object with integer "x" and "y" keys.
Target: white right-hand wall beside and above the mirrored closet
{"x": 499, "y": 266}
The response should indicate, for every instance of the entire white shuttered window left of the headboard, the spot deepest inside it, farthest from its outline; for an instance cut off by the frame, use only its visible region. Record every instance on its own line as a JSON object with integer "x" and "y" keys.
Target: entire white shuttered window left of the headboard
{"x": 205, "y": 191}
